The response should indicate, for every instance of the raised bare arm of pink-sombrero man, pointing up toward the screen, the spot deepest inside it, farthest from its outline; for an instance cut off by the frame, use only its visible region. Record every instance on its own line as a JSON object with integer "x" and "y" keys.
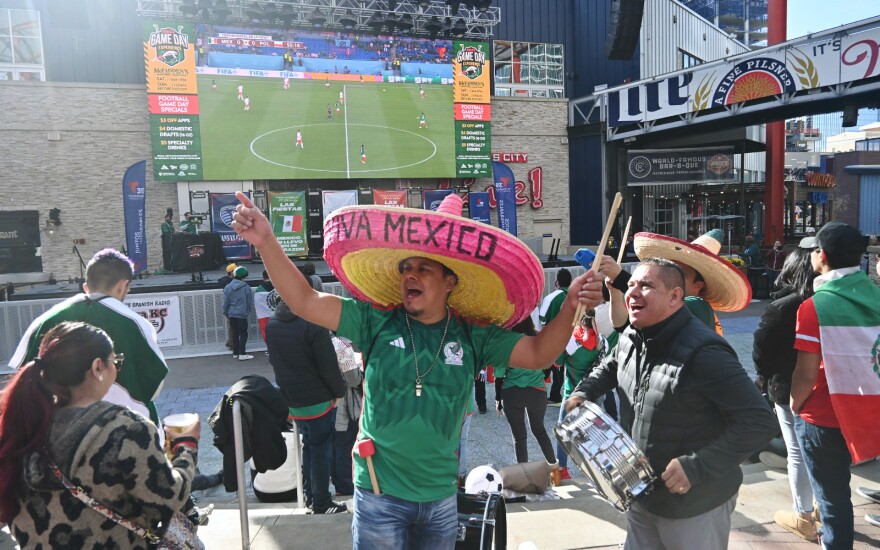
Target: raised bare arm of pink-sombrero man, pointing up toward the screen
{"x": 316, "y": 307}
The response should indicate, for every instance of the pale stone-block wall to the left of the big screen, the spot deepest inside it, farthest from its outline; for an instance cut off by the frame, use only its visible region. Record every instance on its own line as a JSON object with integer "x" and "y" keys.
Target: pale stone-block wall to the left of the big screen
{"x": 104, "y": 129}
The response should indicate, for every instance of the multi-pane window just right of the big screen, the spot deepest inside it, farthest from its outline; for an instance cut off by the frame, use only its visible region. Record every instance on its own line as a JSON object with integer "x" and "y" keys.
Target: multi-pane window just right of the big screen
{"x": 528, "y": 69}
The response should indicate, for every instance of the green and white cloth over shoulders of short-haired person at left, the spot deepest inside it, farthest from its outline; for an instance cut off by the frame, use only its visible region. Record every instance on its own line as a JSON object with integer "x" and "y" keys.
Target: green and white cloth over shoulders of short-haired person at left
{"x": 139, "y": 383}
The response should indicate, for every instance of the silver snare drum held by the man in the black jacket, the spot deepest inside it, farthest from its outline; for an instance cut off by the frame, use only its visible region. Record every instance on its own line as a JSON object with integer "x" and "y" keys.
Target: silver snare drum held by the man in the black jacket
{"x": 610, "y": 459}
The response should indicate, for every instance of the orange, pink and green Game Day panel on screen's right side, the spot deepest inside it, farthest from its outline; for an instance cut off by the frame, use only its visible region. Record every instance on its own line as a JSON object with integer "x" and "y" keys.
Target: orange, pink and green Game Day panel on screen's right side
{"x": 472, "y": 95}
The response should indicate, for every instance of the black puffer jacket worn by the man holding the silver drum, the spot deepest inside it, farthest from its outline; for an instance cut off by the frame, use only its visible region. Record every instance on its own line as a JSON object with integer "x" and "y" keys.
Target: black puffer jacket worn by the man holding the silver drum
{"x": 684, "y": 395}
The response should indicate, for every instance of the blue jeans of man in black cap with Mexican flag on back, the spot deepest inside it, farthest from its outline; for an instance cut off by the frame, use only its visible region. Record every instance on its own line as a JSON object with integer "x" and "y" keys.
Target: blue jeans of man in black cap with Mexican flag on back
{"x": 828, "y": 461}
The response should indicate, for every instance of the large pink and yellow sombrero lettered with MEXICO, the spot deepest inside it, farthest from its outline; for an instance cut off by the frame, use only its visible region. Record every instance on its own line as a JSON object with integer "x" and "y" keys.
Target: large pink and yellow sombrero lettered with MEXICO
{"x": 500, "y": 279}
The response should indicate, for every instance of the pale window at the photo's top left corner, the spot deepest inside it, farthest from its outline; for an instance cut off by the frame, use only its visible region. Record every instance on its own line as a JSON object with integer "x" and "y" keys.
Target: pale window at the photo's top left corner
{"x": 21, "y": 45}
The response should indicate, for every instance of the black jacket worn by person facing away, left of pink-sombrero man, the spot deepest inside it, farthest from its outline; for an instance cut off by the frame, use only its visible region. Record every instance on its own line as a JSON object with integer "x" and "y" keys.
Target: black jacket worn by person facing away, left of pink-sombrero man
{"x": 304, "y": 360}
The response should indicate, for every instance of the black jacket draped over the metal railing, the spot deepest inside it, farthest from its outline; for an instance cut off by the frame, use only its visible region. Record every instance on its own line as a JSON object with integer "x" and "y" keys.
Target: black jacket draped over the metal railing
{"x": 263, "y": 416}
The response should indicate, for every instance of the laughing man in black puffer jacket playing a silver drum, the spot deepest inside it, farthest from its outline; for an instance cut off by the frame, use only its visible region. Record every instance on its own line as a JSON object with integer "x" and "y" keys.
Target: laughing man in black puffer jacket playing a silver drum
{"x": 689, "y": 406}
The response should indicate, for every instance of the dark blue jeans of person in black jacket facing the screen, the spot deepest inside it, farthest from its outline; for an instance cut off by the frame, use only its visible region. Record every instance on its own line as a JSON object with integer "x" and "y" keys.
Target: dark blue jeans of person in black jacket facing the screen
{"x": 317, "y": 434}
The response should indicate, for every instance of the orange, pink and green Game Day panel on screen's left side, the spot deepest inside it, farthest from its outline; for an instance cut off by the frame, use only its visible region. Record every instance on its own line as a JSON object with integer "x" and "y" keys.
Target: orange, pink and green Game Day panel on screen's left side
{"x": 172, "y": 96}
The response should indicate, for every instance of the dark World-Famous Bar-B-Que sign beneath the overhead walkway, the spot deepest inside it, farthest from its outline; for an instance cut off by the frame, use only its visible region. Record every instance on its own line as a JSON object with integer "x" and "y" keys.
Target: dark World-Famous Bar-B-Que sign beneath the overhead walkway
{"x": 655, "y": 167}
